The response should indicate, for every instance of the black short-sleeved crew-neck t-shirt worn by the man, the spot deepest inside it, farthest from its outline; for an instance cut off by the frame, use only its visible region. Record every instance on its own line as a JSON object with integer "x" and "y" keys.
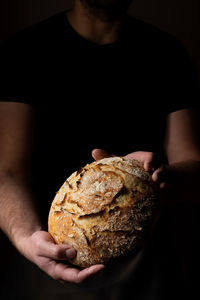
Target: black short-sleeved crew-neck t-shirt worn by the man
{"x": 114, "y": 96}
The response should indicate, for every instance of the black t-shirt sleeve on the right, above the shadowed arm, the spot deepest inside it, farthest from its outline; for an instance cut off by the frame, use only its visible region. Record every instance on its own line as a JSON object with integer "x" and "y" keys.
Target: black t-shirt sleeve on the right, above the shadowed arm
{"x": 181, "y": 87}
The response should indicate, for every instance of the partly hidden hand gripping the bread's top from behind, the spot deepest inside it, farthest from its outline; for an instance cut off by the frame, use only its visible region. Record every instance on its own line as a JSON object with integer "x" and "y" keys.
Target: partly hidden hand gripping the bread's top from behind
{"x": 148, "y": 160}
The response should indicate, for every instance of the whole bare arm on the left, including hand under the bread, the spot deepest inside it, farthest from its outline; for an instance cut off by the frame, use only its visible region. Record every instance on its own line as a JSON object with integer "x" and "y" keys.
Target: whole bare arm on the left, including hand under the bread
{"x": 18, "y": 213}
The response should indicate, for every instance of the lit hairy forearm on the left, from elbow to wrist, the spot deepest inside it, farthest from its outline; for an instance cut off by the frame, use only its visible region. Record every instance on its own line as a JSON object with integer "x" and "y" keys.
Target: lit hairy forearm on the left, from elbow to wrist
{"x": 18, "y": 214}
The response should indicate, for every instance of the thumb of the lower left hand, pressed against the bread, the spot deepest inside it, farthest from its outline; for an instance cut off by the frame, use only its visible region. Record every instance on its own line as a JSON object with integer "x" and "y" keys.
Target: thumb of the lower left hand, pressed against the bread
{"x": 54, "y": 251}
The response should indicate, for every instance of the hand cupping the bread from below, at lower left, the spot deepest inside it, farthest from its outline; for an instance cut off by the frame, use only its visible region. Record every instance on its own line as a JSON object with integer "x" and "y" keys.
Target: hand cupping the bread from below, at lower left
{"x": 52, "y": 258}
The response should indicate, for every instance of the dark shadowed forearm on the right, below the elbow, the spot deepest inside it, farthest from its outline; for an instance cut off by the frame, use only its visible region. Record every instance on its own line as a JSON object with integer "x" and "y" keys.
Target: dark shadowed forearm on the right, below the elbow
{"x": 183, "y": 181}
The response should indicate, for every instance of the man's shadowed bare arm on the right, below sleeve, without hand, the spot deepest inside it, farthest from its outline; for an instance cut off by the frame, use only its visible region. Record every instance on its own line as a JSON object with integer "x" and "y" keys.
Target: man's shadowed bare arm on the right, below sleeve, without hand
{"x": 182, "y": 148}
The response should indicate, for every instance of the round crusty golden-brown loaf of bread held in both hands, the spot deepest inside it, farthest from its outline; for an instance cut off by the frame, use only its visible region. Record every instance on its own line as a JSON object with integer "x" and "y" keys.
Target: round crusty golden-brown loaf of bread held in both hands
{"x": 104, "y": 210}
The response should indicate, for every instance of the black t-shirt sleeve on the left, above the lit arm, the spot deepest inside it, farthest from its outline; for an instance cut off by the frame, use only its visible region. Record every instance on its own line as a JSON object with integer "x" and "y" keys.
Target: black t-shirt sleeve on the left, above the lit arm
{"x": 15, "y": 66}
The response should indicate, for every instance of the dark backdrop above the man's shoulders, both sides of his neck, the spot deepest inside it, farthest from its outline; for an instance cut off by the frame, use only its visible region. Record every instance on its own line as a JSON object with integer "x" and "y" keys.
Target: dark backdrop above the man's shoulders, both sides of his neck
{"x": 179, "y": 17}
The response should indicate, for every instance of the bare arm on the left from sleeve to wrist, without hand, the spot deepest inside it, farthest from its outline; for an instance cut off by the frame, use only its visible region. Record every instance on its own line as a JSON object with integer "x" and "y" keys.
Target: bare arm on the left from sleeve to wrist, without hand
{"x": 15, "y": 173}
